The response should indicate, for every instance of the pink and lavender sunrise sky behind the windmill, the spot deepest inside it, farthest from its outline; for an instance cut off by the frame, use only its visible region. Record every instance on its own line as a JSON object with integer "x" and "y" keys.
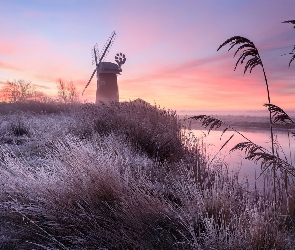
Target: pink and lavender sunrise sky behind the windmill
{"x": 170, "y": 48}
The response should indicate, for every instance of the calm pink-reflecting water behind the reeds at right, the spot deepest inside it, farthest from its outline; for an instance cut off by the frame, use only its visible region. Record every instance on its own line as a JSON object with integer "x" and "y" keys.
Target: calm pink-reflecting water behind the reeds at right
{"x": 236, "y": 160}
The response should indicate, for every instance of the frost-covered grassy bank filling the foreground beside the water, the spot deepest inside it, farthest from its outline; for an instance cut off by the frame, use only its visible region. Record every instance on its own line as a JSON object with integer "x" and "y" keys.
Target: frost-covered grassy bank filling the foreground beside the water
{"x": 124, "y": 176}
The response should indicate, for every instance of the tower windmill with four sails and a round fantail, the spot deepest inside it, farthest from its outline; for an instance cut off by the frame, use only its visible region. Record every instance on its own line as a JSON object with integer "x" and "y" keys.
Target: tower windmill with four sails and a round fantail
{"x": 106, "y": 72}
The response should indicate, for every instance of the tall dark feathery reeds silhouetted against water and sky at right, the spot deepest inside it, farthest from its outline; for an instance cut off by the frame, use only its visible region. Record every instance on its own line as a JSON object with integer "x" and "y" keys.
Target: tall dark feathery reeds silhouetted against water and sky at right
{"x": 247, "y": 49}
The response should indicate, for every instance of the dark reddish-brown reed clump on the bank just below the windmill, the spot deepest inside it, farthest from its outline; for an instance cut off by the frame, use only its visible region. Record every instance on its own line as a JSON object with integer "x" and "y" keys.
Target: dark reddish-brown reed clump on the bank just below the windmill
{"x": 149, "y": 129}
